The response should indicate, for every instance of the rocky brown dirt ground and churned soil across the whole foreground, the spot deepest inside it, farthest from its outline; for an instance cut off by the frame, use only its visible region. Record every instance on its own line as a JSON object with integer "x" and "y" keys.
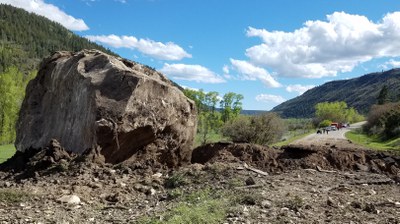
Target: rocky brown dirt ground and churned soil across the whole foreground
{"x": 306, "y": 185}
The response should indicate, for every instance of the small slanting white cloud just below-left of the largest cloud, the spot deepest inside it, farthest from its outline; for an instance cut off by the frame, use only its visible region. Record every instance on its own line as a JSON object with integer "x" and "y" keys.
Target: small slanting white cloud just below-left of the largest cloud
{"x": 251, "y": 72}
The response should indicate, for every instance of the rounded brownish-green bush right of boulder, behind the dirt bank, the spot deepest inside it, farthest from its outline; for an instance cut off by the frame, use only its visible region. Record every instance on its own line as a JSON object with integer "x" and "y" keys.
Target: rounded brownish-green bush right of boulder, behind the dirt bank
{"x": 262, "y": 129}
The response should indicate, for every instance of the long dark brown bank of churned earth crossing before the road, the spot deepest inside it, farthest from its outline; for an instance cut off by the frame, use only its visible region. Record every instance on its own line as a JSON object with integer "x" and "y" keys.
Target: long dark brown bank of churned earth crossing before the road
{"x": 297, "y": 156}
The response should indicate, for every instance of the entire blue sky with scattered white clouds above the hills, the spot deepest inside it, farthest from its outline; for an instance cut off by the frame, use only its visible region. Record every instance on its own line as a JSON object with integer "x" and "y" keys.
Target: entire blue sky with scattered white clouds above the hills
{"x": 268, "y": 51}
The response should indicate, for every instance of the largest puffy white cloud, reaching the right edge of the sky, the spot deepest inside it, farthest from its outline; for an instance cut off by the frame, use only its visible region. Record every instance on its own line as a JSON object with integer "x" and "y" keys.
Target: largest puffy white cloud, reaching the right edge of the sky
{"x": 324, "y": 48}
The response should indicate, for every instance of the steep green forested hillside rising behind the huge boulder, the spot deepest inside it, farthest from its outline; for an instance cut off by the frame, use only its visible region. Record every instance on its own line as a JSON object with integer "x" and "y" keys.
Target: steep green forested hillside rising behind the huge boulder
{"x": 26, "y": 38}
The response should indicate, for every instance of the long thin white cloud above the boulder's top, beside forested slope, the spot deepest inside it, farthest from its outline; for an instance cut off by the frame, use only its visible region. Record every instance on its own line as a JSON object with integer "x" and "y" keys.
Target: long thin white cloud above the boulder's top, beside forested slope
{"x": 158, "y": 50}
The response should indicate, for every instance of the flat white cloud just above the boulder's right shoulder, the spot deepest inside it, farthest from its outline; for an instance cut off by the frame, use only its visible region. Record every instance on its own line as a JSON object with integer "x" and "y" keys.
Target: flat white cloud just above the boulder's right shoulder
{"x": 195, "y": 73}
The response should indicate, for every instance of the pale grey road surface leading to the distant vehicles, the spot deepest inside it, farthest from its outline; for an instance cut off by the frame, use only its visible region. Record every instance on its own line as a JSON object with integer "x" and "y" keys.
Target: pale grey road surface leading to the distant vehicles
{"x": 332, "y": 137}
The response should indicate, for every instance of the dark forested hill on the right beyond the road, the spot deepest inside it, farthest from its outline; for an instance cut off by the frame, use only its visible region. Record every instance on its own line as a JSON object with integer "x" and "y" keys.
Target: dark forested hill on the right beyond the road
{"x": 359, "y": 93}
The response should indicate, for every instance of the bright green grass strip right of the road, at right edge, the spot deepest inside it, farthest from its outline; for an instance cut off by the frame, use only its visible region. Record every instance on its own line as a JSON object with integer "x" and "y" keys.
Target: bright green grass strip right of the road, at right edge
{"x": 373, "y": 142}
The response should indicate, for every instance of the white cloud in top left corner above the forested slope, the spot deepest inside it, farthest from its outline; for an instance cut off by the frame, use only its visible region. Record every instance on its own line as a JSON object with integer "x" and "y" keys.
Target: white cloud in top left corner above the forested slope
{"x": 49, "y": 11}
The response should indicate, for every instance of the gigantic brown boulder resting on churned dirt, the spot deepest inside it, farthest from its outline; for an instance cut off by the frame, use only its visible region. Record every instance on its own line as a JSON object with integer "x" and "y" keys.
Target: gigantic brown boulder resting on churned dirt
{"x": 89, "y": 99}
